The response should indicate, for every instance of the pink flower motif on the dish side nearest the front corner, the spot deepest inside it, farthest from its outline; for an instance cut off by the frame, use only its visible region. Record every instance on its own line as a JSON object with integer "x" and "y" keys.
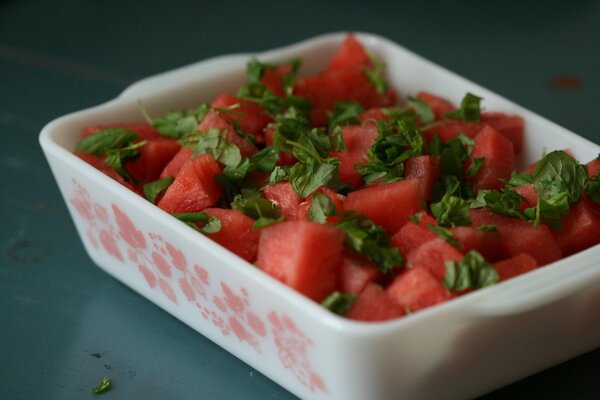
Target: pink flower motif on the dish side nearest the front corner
{"x": 292, "y": 347}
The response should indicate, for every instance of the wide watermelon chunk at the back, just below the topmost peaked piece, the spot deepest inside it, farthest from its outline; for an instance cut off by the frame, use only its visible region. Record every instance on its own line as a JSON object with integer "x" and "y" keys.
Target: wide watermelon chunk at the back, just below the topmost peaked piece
{"x": 347, "y": 84}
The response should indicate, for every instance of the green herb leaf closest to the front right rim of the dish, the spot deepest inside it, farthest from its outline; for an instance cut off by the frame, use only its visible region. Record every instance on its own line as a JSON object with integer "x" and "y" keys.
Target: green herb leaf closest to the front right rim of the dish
{"x": 472, "y": 272}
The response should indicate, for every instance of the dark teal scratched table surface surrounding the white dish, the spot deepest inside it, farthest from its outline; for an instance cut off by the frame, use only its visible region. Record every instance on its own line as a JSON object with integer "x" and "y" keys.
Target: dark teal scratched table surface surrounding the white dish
{"x": 64, "y": 323}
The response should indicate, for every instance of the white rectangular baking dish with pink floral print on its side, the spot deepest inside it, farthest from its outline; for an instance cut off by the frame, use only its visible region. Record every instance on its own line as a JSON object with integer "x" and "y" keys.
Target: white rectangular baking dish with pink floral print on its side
{"x": 460, "y": 349}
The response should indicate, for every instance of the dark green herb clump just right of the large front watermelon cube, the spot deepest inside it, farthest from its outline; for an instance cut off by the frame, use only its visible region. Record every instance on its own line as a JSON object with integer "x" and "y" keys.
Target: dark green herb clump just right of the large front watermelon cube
{"x": 369, "y": 239}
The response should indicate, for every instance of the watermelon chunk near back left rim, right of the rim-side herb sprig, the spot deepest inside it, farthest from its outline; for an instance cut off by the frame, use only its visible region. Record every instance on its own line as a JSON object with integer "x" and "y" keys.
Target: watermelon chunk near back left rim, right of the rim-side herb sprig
{"x": 251, "y": 117}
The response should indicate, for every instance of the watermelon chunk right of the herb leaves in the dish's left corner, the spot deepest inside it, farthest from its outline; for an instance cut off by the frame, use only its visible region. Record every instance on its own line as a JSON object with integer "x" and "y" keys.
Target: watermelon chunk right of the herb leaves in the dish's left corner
{"x": 154, "y": 156}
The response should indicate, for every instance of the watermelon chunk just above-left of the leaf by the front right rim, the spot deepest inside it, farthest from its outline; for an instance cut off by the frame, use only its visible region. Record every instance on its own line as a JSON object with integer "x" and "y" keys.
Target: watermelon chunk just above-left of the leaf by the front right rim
{"x": 432, "y": 256}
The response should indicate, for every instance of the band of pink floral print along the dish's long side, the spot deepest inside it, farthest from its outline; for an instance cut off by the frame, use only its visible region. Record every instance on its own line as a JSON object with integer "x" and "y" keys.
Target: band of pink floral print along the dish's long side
{"x": 166, "y": 268}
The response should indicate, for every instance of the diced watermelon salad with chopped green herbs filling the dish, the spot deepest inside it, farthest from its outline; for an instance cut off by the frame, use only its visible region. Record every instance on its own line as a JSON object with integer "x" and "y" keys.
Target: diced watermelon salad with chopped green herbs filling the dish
{"x": 373, "y": 206}
